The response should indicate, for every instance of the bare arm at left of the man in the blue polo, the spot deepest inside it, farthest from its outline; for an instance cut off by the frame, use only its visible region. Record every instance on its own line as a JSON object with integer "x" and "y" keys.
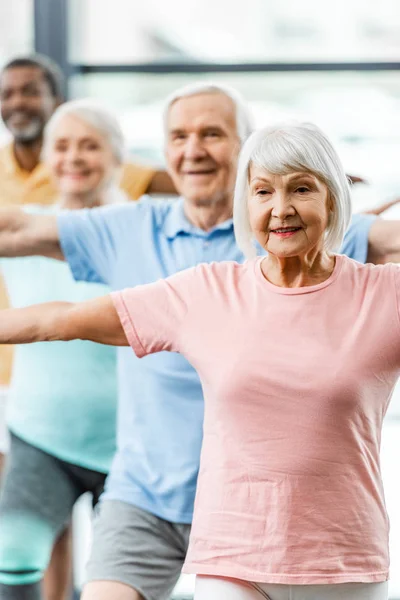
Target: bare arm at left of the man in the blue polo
{"x": 24, "y": 234}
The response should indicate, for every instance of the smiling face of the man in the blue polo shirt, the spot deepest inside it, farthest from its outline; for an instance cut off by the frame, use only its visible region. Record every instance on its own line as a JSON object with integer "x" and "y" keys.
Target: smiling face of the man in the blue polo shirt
{"x": 202, "y": 148}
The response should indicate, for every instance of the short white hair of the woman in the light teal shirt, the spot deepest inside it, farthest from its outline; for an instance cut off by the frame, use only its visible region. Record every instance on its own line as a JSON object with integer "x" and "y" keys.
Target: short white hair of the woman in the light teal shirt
{"x": 95, "y": 115}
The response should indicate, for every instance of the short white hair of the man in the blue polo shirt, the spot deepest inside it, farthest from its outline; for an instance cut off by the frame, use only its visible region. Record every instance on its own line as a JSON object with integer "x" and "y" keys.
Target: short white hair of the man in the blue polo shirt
{"x": 244, "y": 119}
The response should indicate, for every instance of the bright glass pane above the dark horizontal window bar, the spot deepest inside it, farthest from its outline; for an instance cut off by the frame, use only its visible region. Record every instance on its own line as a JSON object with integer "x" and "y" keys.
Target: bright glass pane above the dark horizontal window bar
{"x": 256, "y": 31}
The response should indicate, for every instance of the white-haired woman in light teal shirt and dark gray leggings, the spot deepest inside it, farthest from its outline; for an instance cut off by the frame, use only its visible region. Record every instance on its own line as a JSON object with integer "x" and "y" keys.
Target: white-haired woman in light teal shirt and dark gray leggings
{"x": 62, "y": 400}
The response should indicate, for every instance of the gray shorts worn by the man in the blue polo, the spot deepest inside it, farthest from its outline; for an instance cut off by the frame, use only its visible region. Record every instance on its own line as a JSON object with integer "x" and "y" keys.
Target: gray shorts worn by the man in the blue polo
{"x": 137, "y": 548}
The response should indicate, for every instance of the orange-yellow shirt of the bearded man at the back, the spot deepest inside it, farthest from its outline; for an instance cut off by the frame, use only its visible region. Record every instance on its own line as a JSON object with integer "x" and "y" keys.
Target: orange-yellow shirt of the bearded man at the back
{"x": 19, "y": 187}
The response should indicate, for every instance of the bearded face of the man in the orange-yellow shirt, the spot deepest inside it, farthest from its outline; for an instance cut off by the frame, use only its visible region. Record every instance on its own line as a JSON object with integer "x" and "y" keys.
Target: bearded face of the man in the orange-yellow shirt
{"x": 26, "y": 102}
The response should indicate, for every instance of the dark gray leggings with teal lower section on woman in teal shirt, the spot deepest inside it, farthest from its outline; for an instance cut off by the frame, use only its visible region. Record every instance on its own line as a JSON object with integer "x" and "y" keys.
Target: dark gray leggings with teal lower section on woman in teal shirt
{"x": 37, "y": 496}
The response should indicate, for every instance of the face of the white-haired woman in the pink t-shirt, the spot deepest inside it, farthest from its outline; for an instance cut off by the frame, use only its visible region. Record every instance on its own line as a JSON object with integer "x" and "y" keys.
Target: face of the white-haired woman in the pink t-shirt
{"x": 288, "y": 213}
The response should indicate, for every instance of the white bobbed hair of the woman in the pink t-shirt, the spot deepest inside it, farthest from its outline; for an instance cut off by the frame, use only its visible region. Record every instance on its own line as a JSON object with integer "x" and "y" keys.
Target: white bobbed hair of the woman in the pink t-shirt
{"x": 284, "y": 149}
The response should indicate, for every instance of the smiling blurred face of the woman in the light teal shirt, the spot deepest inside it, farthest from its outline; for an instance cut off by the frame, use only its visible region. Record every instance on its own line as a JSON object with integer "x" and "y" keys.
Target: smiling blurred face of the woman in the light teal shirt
{"x": 79, "y": 157}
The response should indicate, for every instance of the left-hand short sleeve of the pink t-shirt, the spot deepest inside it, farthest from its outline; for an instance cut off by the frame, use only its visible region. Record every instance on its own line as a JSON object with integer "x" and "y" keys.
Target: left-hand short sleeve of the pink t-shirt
{"x": 153, "y": 316}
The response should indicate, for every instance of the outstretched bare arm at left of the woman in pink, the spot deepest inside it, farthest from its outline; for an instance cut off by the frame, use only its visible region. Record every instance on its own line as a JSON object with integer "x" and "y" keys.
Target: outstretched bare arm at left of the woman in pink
{"x": 95, "y": 320}
